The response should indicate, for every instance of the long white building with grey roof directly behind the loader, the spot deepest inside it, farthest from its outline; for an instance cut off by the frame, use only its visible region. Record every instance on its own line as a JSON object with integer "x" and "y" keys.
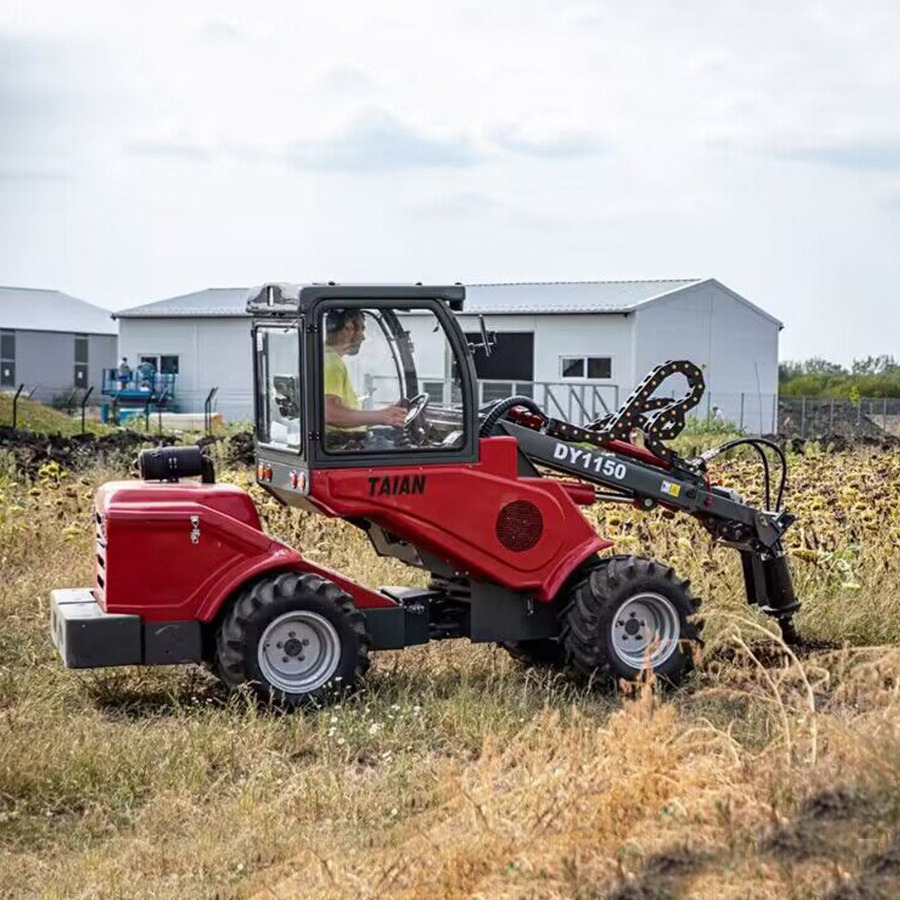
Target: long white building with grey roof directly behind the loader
{"x": 577, "y": 348}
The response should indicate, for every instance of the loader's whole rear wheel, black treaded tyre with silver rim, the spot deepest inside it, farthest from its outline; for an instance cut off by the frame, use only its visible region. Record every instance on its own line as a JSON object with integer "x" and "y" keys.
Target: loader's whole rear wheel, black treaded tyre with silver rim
{"x": 295, "y": 639}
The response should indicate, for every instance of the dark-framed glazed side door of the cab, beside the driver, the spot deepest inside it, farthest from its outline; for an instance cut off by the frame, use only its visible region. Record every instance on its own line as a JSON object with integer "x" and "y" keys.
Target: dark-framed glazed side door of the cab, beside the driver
{"x": 393, "y": 385}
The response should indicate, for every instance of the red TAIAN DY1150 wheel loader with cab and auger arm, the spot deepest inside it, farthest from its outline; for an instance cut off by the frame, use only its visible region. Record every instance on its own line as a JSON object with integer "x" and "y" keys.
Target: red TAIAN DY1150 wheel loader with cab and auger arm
{"x": 365, "y": 400}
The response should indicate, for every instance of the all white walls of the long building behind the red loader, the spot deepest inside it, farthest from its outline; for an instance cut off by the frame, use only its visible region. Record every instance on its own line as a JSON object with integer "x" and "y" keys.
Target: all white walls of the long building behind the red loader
{"x": 736, "y": 346}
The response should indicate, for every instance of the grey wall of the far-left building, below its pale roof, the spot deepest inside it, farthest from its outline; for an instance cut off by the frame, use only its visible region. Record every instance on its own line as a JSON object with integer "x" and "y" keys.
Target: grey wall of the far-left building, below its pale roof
{"x": 45, "y": 361}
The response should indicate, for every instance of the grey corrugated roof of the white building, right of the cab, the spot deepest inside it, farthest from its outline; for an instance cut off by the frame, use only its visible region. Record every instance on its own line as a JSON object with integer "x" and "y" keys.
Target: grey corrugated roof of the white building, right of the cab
{"x": 568, "y": 296}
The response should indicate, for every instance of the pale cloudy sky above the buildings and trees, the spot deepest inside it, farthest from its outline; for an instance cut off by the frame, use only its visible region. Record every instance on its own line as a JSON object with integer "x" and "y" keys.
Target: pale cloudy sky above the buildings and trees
{"x": 152, "y": 149}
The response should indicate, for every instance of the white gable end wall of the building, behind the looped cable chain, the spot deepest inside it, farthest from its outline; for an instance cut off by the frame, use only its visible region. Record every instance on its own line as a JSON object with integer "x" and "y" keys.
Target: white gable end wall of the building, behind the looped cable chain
{"x": 736, "y": 347}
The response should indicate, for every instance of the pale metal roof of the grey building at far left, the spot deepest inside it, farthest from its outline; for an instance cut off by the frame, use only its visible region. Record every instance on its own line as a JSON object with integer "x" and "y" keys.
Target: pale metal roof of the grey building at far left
{"x": 34, "y": 309}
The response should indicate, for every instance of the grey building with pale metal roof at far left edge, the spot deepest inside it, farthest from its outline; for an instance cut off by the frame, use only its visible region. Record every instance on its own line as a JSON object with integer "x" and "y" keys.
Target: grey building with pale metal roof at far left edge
{"x": 52, "y": 342}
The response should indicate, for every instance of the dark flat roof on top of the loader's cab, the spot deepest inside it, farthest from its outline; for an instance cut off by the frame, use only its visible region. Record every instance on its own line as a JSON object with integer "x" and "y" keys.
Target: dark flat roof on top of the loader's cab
{"x": 281, "y": 298}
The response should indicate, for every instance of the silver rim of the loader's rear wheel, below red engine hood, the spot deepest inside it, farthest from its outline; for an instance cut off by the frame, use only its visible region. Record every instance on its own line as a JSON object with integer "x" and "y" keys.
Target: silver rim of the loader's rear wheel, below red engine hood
{"x": 299, "y": 652}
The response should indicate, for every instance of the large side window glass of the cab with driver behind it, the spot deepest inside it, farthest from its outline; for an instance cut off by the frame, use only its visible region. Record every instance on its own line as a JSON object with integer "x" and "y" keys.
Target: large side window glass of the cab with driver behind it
{"x": 390, "y": 382}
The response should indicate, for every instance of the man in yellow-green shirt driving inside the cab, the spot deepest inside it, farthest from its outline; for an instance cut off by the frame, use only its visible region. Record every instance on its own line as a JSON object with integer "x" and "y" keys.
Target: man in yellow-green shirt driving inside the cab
{"x": 345, "y": 330}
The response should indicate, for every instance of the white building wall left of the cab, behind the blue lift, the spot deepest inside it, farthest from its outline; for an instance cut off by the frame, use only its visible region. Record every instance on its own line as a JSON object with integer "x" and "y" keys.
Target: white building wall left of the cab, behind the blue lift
{"x": 212, "y": 352}
